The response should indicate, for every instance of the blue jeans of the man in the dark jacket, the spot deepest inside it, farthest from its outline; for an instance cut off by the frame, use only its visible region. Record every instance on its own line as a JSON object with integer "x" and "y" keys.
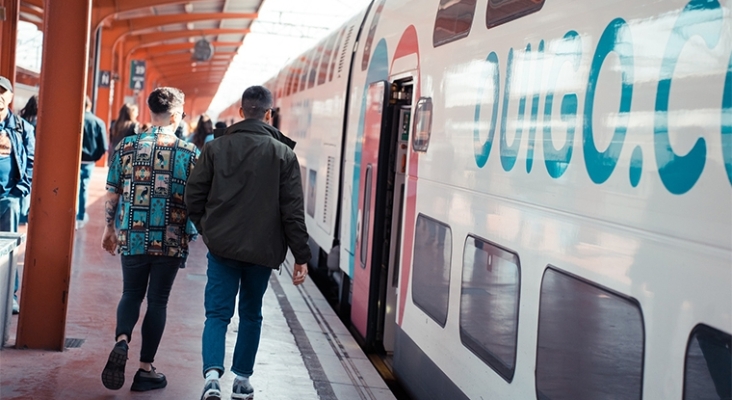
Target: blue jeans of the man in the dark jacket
{"x": 226, "y": 278}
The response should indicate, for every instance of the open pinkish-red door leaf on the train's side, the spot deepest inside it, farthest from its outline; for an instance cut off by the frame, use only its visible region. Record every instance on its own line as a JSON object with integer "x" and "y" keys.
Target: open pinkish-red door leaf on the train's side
{"x": 363, "y": 307}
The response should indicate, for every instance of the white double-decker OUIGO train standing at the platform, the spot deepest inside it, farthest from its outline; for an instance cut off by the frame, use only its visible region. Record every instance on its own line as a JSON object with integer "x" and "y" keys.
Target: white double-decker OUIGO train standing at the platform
{"x": 525, "y": 198}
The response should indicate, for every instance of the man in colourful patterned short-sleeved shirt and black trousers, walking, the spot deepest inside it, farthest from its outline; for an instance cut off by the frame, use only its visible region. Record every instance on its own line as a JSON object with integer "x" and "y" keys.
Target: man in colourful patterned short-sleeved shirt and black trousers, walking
{"x": 147, "y": 176}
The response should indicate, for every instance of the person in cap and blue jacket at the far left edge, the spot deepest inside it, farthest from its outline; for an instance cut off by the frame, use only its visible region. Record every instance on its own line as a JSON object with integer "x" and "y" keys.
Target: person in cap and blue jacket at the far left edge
{"x": 17, "y": 153}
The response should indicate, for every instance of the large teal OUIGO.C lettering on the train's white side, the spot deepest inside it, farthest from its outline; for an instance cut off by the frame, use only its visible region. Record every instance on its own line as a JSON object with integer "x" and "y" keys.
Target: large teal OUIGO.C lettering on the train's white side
{"x": 678, "y": 173}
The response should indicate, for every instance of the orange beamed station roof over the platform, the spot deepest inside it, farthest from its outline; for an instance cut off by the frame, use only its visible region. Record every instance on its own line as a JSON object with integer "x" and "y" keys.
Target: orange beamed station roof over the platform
{"x": 164, "y": 33}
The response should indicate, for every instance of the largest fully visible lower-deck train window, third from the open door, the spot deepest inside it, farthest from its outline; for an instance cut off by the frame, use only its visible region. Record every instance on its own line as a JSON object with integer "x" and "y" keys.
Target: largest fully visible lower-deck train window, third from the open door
{"x": 590, "y": 342}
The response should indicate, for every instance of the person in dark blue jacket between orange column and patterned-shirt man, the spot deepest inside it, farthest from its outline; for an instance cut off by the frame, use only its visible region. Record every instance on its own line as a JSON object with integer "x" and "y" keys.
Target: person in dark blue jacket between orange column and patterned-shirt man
{"x": 93, "y": 147}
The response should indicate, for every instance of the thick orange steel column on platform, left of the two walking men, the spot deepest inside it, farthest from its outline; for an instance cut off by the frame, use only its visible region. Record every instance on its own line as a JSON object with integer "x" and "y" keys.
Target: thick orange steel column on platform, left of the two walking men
{"x": 47, "y": 270}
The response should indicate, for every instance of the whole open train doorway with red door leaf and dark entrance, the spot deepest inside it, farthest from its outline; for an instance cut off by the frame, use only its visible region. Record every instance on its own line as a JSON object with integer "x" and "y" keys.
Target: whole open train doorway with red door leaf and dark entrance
{"x": 381, "y": 184}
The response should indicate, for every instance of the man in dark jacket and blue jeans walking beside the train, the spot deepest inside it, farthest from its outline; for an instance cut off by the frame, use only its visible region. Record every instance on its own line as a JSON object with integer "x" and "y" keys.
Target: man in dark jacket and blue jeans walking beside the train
{"x": 245, "y": 198}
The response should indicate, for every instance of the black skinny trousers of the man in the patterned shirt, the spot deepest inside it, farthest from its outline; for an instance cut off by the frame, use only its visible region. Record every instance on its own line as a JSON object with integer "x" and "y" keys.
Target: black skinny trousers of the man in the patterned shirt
{"x": 136, "y": 271}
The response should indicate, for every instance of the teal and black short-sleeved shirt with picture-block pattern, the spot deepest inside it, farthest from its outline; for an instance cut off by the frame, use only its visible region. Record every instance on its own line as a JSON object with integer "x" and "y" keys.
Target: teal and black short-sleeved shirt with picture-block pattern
{"x": 150, "y": 171}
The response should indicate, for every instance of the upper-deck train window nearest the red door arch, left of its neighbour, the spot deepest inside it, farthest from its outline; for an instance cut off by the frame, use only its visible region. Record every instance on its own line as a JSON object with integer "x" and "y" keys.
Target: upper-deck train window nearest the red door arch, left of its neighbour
{"x": 454, "y": 20}
